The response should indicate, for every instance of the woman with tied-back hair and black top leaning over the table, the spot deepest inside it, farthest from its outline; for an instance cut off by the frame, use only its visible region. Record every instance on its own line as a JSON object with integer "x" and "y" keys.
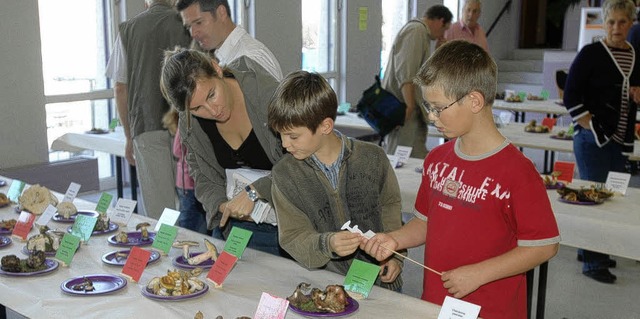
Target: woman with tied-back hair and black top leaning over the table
{"x": 223, "y": 124}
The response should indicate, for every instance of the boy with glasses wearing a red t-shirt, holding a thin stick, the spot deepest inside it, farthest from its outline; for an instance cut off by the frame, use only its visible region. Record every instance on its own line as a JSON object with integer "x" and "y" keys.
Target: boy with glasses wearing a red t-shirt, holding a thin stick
{"x": 482, "y": 210}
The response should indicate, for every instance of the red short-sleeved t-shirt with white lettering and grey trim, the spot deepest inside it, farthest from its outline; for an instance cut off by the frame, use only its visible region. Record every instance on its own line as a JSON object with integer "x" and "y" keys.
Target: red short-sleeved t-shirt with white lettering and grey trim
{"x": 478, "y": 208}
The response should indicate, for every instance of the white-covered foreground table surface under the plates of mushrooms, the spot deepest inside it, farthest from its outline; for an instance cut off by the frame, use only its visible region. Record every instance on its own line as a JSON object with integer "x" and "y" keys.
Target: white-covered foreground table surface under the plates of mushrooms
{"x": 257, "y": 272}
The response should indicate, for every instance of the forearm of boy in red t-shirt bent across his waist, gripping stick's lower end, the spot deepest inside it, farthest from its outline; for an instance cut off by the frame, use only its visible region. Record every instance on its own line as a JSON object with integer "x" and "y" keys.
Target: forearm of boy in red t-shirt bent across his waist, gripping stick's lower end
{"x": 466, "y": 279}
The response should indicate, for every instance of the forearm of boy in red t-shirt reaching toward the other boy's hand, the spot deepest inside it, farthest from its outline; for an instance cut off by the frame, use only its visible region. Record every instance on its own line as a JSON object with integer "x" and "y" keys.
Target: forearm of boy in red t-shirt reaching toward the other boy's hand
{"x": 412, "y": 234}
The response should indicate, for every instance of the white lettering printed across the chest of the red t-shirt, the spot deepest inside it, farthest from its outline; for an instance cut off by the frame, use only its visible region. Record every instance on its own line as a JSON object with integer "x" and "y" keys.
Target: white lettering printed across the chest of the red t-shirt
{"x": 449, "y": 181}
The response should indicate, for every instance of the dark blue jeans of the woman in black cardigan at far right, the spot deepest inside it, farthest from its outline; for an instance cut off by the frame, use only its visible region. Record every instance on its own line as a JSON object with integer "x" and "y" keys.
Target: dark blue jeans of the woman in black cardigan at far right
{"x": 594, "y": 163}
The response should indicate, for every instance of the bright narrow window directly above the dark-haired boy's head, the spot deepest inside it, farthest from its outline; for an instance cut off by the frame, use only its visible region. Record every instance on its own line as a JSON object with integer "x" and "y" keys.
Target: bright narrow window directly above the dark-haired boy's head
{"x": 320, "y": 39}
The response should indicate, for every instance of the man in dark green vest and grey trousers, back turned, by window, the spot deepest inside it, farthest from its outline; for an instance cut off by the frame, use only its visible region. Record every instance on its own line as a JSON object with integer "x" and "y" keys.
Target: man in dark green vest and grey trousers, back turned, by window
{"x": 135, "y": 66}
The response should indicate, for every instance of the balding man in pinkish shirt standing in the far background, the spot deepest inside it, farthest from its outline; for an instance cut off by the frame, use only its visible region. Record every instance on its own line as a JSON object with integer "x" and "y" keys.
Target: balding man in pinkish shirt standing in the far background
{"x": 468, "y": 28}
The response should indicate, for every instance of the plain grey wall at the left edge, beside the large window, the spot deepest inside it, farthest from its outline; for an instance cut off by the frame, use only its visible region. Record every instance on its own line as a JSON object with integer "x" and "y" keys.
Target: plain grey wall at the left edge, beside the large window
{"x": 23, "y": 136}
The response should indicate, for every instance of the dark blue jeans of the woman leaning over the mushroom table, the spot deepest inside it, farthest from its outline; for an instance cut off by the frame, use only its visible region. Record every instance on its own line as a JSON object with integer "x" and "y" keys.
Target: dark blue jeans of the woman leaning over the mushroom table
{"x": 264, "y": 238}
